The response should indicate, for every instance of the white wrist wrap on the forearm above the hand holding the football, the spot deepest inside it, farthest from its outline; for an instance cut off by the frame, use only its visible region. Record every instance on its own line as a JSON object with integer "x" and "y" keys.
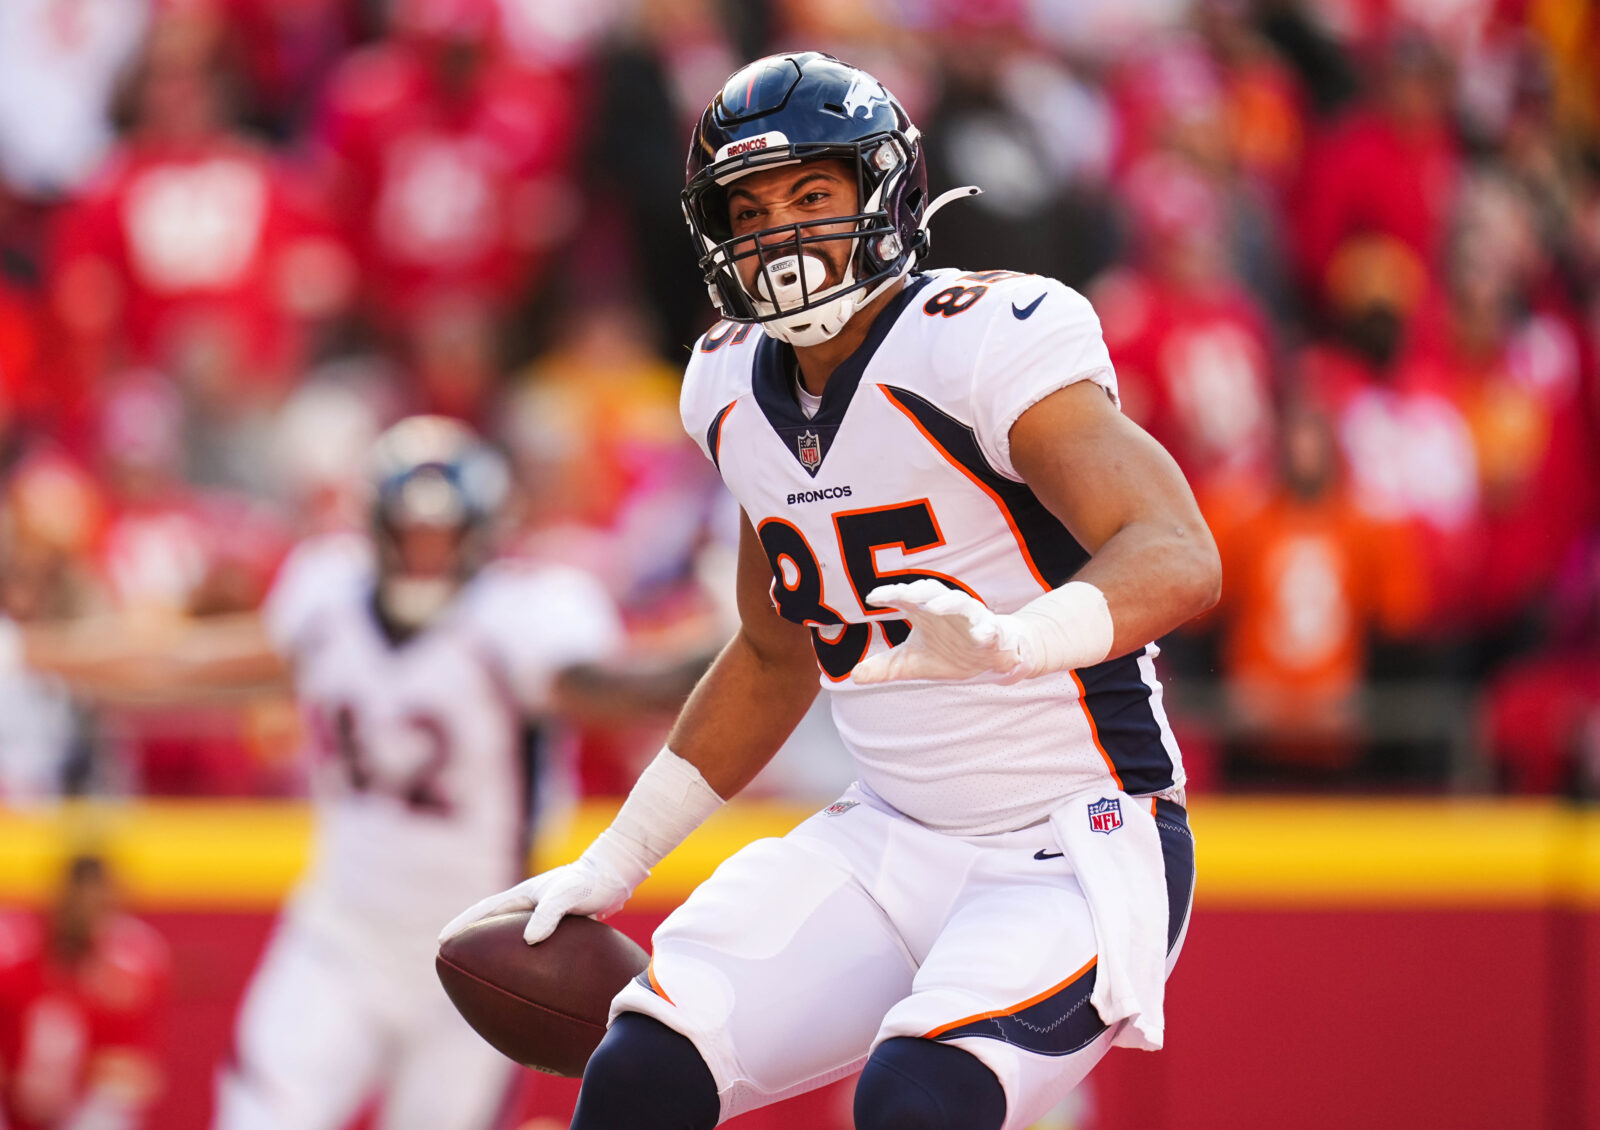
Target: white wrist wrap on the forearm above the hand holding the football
{"x": 668, "y": 803}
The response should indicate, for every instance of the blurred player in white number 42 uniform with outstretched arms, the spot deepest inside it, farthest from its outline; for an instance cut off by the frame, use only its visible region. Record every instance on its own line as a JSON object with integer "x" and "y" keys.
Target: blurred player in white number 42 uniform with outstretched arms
{"x": 420, "y": 668}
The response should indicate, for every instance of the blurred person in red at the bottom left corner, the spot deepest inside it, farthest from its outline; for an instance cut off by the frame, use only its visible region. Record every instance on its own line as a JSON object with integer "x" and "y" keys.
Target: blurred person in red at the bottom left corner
{"x": 81, "y": 993}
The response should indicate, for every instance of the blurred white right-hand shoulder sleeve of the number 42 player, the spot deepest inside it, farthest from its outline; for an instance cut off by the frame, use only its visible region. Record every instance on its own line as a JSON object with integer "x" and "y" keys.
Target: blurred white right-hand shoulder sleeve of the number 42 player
{"x": 542, "y": 622}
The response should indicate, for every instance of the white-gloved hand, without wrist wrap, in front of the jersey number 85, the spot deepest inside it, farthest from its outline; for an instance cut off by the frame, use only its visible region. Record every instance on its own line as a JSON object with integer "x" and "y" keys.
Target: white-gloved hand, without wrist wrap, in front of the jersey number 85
{"x": 954, "y": 636}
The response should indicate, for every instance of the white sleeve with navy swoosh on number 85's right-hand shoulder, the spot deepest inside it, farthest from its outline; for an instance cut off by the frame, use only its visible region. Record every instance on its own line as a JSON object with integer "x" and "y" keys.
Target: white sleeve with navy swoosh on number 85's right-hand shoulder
{"x": 1025, "y": 359}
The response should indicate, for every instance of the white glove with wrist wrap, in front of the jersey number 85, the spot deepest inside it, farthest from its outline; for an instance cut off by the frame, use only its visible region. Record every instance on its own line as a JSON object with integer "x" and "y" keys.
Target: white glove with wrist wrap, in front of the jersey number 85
{"x": 958, "y": 638}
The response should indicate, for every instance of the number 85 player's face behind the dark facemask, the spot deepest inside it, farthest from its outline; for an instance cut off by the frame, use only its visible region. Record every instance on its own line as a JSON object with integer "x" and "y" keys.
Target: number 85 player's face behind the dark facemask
{"x": 798, "y": 194}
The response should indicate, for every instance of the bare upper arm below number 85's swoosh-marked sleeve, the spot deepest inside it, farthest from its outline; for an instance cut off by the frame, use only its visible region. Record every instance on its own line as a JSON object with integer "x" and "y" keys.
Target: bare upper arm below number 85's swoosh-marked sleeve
{"x": 1098, "y": 471}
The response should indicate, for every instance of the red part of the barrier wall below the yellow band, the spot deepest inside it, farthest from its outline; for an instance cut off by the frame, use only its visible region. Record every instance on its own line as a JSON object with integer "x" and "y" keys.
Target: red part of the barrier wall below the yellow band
{"x": 1318, "y": 1020}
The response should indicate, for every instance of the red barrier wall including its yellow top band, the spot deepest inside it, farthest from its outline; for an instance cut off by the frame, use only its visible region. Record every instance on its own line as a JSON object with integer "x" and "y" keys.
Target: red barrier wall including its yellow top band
{"x": 1388, "y": 966}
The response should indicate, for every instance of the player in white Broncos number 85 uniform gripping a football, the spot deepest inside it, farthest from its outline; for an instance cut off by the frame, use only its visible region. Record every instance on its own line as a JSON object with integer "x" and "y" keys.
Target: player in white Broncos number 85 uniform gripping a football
{"x": 953, "y": 527}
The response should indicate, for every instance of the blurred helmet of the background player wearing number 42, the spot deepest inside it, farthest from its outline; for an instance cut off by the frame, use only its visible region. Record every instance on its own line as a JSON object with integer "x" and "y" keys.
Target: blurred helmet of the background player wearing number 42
{"x": 436, "y": 473}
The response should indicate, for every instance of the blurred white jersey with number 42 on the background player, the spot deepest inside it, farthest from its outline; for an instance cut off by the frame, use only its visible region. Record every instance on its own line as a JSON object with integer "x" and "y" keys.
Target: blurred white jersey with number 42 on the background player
{"x": 423, "y": 753}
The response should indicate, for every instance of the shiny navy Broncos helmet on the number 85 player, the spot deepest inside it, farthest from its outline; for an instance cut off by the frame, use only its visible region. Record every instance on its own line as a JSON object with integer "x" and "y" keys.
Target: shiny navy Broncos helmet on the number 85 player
{"x": 788, "y": 110}
